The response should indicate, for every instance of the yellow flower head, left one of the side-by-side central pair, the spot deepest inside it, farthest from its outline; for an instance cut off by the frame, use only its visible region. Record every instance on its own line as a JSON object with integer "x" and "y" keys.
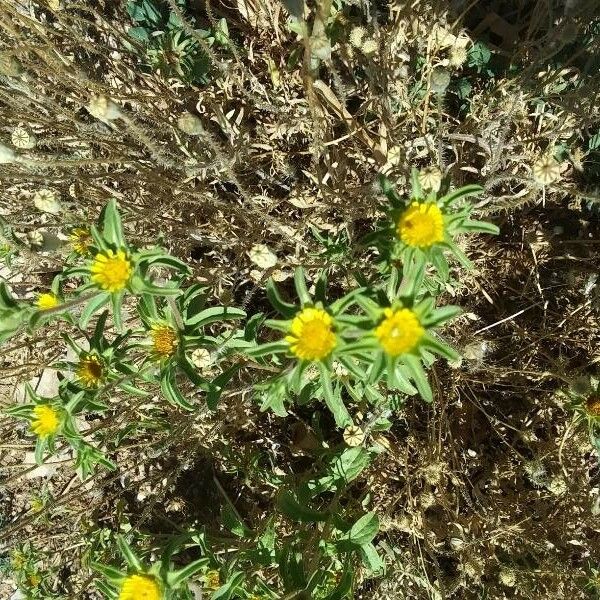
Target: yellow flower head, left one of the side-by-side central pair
{"x": 311, "y": 335}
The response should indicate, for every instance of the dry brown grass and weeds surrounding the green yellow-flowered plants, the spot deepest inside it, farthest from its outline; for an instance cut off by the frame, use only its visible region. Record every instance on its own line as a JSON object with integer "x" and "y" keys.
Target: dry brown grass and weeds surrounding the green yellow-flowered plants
{"x": 492, "y": 491}
